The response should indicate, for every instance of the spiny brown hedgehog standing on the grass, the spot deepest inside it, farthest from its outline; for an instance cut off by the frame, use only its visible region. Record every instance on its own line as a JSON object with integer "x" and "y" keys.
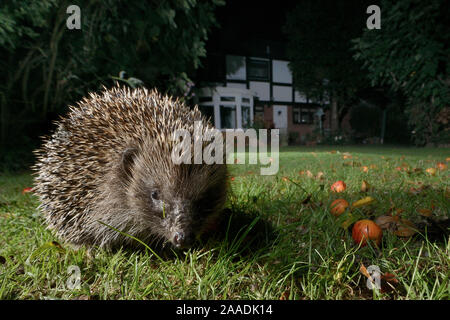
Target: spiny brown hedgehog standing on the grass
{"x": 106, "y": 175}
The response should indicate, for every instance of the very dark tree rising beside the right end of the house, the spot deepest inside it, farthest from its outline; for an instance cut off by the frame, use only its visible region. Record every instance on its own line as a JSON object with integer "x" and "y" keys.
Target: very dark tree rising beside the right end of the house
{"x": 319, "y": 42}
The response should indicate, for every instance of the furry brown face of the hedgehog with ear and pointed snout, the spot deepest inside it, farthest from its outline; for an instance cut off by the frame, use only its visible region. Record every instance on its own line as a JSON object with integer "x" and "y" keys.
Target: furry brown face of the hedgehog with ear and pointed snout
{"x": 164, "y": 205}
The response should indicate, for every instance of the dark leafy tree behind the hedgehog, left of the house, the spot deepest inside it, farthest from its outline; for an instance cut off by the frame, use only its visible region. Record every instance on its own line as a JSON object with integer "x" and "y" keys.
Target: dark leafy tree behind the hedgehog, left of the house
{"x": 48, "y": 66}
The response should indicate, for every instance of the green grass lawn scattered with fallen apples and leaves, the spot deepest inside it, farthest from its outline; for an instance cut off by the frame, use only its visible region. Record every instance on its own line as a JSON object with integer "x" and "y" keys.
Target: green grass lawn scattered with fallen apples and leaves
{"x": 307, "y": 254}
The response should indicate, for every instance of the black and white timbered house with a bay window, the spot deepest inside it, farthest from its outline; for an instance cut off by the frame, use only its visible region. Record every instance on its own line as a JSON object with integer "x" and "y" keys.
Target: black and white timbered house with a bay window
{"x": 242, "y": 91}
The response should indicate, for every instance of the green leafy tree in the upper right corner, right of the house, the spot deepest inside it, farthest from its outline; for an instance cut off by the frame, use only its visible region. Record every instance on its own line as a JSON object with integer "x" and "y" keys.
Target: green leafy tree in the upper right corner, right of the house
{"x": 410, "y": 53}
